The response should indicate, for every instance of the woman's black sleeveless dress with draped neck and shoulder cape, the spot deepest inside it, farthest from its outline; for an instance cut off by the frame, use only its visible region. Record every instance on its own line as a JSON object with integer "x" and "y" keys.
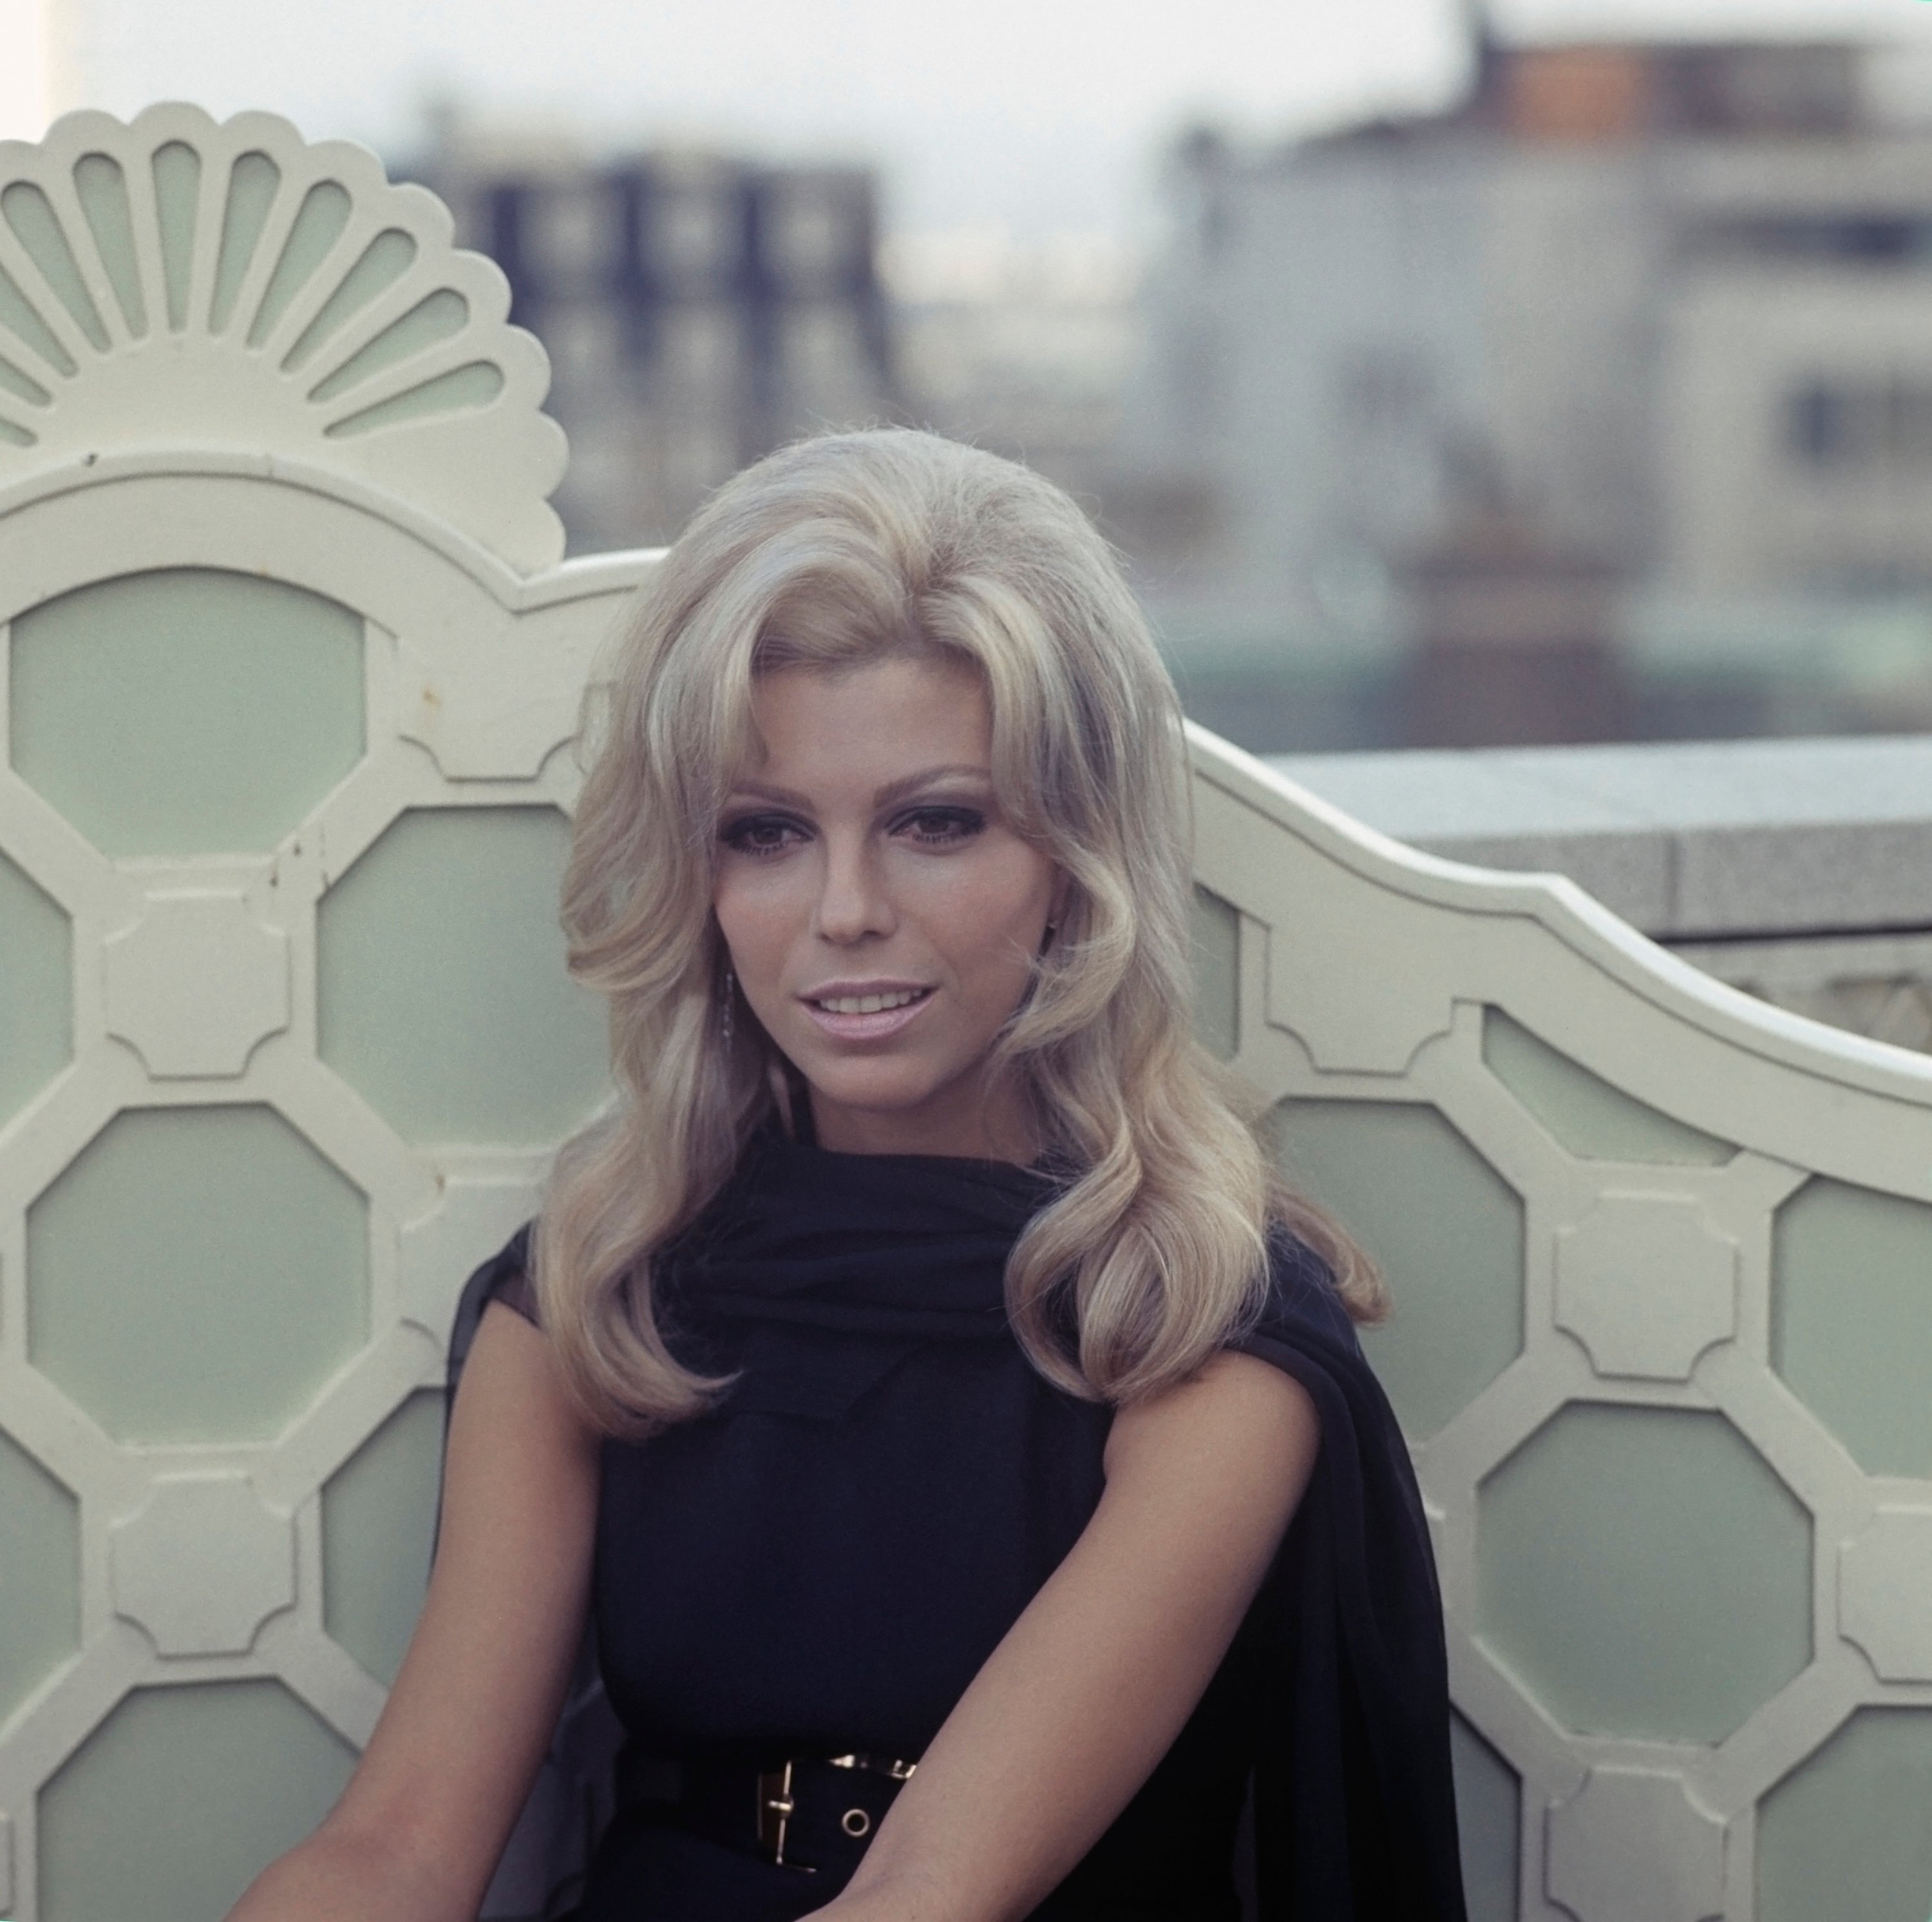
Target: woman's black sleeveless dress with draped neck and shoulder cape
{"x": 824, "y": 1564}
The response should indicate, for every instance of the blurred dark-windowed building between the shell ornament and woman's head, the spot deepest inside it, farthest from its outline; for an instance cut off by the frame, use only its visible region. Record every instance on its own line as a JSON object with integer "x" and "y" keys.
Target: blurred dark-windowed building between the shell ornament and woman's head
{"x": 698, "y": 310}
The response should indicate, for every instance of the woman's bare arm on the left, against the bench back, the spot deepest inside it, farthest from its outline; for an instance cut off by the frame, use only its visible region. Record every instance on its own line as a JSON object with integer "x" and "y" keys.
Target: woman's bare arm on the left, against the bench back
{"x": 430, "y": 1807}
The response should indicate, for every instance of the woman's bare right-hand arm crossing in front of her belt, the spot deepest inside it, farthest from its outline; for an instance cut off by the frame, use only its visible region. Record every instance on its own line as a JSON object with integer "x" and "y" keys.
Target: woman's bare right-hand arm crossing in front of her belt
{"x": 1093, "y": 1683}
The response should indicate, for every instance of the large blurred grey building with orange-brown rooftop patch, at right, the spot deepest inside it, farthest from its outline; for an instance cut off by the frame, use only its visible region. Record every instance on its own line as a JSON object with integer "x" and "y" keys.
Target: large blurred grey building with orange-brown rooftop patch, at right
{"x": 1634, "y": 329}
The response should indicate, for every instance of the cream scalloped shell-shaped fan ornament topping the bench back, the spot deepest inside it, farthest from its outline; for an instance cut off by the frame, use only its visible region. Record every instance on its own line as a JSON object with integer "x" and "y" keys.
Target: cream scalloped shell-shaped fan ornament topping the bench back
{"x": 183, "y": 285}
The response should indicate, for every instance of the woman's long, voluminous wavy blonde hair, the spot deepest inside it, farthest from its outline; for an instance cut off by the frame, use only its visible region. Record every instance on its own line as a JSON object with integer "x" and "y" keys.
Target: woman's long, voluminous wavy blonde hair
{"x": 841, "y": 551}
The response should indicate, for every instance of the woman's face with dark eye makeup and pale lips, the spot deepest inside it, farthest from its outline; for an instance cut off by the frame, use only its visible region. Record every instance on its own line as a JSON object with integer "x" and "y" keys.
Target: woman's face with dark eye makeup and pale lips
{"x": 878, "y": 909}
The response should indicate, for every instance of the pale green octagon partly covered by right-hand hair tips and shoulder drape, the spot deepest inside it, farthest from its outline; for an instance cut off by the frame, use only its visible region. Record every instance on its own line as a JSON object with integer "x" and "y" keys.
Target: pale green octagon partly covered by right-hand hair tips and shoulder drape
{"x": 1446, "y": 1231}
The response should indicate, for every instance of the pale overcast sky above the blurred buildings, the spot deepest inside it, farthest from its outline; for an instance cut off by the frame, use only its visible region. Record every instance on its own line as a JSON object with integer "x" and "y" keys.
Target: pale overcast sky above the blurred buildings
{"x": 1037, "y": 113}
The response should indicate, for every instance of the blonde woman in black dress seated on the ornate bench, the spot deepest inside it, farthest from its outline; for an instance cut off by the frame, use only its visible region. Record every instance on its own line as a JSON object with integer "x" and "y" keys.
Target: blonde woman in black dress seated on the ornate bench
{"x": 957, "y": 1428}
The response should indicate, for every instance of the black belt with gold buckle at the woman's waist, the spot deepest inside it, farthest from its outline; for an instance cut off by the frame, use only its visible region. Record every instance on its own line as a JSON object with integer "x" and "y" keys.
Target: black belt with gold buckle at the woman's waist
{"x": 810, "y": 1813}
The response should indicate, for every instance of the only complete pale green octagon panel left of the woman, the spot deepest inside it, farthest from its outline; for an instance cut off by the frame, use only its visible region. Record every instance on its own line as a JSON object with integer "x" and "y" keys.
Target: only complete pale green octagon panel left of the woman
{"x": 196, "y": 1276}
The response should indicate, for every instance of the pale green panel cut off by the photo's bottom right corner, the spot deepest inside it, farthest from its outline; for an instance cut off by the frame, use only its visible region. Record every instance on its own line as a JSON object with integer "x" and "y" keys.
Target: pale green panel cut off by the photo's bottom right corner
{"x": 1848, "y": 1836}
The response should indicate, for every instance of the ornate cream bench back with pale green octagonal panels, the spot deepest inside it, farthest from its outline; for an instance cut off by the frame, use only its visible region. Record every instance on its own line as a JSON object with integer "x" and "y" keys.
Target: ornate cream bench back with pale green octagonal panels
{"x": 289, "y": 679}
